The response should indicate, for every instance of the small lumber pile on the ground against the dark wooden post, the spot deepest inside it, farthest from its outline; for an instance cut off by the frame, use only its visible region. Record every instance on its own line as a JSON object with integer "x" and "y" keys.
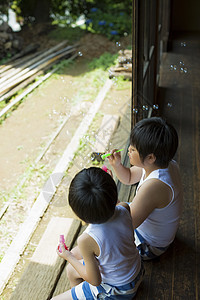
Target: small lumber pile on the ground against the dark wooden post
{"x": 124, "y": 67}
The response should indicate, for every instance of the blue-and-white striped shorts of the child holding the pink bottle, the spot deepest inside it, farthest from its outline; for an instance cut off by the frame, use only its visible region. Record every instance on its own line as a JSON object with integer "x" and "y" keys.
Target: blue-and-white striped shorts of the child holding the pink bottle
{"x": 86, "y": 291}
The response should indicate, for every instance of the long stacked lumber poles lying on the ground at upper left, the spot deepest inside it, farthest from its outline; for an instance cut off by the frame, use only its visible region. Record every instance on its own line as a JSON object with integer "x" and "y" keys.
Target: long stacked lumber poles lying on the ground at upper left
{"x": 25, "y": 67}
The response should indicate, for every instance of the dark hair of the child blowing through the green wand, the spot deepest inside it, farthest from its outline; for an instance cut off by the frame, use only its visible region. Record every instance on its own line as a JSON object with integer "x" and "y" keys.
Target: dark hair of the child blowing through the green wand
{"x": 155, "y": 135}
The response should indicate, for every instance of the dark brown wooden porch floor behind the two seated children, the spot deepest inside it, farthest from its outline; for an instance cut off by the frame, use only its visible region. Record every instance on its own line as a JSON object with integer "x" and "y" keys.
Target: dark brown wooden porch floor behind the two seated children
{"x": 176, "y": 275}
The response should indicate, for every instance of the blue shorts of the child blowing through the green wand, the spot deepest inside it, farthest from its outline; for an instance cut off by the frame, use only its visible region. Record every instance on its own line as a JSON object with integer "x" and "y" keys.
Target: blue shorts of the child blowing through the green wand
{"x": 146, "y": 251}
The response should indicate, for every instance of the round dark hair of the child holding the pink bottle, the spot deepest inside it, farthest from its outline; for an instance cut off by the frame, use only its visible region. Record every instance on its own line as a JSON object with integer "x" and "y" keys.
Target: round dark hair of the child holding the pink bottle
{"x": 93, "y": 195}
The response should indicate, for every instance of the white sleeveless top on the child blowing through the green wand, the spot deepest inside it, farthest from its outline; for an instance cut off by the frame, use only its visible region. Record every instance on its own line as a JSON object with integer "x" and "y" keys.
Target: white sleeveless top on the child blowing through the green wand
{"x": 160, "y": 227}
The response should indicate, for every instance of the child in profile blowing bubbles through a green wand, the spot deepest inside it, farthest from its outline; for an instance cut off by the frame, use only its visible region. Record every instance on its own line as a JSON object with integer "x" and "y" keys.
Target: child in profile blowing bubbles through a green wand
{"x": 156, "y": 207}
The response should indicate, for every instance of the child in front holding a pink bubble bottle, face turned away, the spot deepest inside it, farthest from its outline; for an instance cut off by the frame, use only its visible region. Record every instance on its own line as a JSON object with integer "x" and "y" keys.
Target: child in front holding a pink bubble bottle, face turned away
{"x": 106, "y": 263}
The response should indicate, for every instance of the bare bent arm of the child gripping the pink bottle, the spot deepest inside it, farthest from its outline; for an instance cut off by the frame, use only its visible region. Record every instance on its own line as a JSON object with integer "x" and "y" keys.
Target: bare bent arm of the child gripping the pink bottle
{"x": 90, "y": 271}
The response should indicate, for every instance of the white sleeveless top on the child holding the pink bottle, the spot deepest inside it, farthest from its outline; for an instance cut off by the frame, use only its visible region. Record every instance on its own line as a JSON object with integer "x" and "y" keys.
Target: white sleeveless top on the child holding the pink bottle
{"x": 119, "y": 260}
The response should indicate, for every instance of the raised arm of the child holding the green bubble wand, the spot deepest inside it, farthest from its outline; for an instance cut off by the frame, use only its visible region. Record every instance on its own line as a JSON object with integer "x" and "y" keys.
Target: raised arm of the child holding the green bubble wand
{"x": 127, "y": 176}
